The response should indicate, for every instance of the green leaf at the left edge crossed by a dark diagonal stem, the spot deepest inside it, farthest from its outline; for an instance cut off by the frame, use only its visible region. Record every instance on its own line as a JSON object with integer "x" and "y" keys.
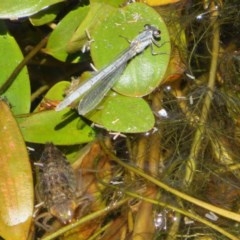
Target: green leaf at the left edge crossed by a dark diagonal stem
{"x": 18, "y": 94}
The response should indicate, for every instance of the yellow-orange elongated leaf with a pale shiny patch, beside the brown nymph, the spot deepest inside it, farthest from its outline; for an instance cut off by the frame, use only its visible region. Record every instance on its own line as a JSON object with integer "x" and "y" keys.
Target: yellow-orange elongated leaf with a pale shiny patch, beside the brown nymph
{"x": 16, "y": 183}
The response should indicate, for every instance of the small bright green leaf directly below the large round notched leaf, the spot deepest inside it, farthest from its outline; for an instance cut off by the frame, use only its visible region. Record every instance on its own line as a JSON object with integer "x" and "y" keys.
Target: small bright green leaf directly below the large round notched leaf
{"x": 123, "y": 114}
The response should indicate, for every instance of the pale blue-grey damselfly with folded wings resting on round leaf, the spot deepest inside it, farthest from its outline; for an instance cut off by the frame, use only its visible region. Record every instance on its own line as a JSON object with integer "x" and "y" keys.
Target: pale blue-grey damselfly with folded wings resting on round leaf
{"x": 93, "y": 90}
